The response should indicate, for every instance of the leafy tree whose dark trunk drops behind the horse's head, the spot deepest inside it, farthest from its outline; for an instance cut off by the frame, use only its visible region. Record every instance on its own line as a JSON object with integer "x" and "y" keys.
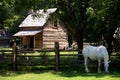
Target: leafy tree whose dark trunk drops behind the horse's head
{"x": 103, "y": 19}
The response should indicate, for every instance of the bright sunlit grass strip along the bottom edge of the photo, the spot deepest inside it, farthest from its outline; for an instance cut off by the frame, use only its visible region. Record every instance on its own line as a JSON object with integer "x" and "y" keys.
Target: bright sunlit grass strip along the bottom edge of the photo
{"x": 51, "y": 76}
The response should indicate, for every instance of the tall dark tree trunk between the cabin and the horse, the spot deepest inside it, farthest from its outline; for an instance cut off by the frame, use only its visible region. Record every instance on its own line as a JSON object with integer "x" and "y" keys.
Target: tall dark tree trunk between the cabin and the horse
{"x": 82, "y": 22}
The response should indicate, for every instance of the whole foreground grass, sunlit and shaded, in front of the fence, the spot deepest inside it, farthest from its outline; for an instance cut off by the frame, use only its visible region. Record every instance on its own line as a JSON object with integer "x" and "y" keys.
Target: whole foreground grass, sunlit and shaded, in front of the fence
{"x": 69, "y": 72}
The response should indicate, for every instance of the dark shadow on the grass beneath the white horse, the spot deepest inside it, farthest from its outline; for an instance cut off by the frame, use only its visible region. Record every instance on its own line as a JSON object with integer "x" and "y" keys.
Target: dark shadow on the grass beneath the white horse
{"x": 79, "y": 71}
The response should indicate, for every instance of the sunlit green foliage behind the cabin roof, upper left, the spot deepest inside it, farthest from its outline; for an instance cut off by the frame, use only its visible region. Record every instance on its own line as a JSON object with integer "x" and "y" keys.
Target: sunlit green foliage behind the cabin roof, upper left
{"x": 13, "y": 12}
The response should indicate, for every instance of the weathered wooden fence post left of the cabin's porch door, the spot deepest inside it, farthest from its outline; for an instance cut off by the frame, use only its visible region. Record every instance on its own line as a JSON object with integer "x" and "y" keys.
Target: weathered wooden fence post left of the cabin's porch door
{"x": 14, "y": 66}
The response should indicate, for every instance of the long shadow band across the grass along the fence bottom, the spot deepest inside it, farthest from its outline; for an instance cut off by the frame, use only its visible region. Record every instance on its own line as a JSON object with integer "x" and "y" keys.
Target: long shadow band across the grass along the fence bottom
{"x": 65, "y": 71}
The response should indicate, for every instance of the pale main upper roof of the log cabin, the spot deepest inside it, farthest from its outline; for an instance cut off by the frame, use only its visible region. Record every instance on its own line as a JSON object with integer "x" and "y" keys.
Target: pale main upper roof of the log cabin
{"x": 37, "y": 19}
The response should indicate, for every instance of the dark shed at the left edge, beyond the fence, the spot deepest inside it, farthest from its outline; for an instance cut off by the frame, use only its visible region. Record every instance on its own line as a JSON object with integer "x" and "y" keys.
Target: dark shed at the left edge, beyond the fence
{"x": 5, "y": 38}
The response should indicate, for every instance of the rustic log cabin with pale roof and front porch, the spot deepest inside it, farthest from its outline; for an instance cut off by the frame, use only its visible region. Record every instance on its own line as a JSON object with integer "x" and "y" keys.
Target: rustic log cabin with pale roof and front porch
{"x": 39, "y": 30}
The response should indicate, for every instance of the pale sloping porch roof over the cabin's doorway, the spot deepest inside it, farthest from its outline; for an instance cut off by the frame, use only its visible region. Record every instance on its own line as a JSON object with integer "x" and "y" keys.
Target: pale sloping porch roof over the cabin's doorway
{"x": 26, "y": 33}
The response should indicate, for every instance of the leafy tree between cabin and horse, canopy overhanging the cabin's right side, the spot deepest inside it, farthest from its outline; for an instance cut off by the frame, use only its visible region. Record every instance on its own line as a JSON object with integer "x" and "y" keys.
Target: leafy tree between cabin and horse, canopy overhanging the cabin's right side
{"x": 73, "y": 14}
